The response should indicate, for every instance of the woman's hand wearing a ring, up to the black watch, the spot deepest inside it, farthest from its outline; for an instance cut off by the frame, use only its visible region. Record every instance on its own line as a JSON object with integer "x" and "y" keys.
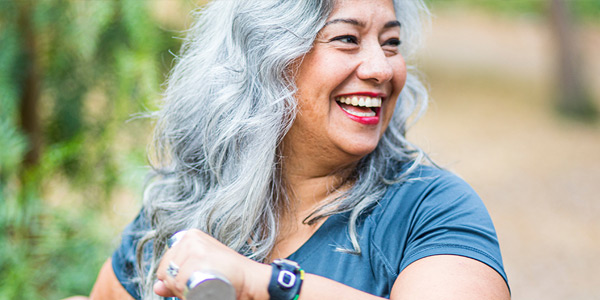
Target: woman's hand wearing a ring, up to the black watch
{"x": 197, "y": 251}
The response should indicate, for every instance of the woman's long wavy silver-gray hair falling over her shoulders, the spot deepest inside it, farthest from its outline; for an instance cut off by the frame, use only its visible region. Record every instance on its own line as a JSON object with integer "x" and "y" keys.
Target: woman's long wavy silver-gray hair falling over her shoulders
{"x": 229, "y": 101}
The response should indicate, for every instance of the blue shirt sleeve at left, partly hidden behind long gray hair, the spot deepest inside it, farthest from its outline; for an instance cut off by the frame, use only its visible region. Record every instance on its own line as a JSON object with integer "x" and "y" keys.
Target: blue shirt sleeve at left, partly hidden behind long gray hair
{"x": 124, "y": 258}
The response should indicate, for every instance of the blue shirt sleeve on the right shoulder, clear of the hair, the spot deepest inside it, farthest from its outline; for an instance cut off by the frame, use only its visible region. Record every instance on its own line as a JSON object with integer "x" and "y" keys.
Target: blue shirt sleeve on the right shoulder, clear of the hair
{"x": 438, "y": 214}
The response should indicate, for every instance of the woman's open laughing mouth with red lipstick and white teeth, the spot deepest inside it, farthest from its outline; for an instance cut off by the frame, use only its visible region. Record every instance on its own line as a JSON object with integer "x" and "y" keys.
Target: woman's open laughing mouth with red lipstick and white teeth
{"x": 360, "y": 108}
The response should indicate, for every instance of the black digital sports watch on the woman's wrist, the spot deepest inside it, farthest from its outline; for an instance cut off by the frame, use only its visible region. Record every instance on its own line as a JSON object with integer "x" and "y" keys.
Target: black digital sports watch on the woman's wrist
{"x": 286, "y": 280}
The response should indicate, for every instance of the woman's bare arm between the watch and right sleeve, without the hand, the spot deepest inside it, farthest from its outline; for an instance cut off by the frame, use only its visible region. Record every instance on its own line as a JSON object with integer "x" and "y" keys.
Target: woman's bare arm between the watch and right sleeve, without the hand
{"x": 445, "y": 277}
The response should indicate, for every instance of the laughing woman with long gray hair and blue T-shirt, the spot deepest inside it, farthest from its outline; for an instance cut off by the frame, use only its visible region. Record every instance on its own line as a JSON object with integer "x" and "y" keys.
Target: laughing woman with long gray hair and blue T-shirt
{"x": 283, "y": 136}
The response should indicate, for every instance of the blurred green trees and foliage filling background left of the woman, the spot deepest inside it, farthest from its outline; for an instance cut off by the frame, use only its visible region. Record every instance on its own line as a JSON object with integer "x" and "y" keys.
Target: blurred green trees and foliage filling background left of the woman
{"x": 71, "y": 73}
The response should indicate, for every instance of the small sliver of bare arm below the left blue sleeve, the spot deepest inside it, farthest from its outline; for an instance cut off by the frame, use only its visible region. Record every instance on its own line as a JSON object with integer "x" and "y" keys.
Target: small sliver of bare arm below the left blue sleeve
{"x": 107, "y": 285}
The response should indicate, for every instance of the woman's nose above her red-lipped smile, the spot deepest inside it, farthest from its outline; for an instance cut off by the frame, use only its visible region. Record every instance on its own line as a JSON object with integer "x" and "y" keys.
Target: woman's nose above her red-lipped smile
{"x": 375, "y": 65}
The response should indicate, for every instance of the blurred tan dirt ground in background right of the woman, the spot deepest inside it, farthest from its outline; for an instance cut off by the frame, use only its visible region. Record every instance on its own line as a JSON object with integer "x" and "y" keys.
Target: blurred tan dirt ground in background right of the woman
{"x": 492, "y": 122}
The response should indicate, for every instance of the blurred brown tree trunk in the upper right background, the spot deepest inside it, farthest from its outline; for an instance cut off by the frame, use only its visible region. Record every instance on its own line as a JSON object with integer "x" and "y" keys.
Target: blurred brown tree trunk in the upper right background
{"x": 573, "y": 99}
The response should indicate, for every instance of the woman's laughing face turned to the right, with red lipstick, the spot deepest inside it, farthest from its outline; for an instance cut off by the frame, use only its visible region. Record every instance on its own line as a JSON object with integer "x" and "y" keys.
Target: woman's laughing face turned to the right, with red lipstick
{"x": 349, "y": 82}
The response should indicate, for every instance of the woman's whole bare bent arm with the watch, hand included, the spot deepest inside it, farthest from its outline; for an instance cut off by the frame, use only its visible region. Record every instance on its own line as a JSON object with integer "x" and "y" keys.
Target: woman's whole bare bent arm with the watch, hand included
{"x": 435, "y": 277}
